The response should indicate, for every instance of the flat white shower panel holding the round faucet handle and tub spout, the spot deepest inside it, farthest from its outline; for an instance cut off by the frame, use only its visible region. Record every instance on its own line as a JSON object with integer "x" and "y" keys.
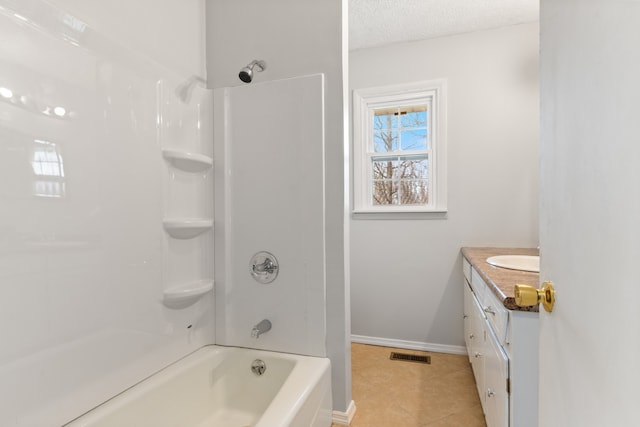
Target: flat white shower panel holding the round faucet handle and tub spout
{"x": 270, "y": 197}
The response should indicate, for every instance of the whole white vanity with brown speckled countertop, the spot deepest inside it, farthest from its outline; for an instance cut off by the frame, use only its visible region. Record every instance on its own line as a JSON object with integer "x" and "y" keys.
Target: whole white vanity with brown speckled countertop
{"x": 501, "y": 337}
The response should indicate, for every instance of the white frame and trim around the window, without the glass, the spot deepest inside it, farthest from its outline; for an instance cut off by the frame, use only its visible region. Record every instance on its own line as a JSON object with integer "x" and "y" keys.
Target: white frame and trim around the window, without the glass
{"x": 365, "y": 101}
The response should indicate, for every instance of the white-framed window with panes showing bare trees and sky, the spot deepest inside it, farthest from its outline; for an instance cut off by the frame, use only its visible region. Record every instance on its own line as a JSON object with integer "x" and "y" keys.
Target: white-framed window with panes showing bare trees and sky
{"x": 399, "y": 148}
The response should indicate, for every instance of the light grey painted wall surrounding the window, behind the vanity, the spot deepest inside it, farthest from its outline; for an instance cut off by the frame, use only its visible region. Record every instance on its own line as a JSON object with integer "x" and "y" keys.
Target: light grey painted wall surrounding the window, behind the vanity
{"x": 409, "y": 291}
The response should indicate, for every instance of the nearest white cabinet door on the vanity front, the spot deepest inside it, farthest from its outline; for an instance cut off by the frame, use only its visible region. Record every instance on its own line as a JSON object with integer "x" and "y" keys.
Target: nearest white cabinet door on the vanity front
{"x": 496, "y": 396}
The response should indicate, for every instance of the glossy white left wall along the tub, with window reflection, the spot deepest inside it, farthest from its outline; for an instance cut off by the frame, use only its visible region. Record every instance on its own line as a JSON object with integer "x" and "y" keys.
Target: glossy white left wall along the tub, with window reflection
{"x": 83, "y": 267}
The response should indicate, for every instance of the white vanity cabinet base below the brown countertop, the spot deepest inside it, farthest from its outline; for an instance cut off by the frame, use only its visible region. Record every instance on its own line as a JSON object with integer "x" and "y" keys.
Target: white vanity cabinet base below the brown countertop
{"x": 503, "y": 352}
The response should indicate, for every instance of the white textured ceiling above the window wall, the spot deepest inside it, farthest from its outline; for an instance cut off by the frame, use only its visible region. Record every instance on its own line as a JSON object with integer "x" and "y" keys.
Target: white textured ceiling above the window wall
{"x": 381, "y": 22}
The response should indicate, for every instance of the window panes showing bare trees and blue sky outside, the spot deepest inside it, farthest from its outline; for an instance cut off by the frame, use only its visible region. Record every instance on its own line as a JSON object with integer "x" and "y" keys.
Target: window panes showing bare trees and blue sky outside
{"x": 401, "y": 169}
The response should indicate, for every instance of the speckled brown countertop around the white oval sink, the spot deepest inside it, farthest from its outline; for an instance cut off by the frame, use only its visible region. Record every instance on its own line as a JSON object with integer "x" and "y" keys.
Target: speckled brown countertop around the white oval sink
{"x": 502, "y": 280}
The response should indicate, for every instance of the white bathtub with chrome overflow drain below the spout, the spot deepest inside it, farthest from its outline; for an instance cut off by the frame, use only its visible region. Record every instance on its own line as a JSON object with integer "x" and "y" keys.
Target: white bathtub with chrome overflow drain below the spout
{"x": 216, "y": 387}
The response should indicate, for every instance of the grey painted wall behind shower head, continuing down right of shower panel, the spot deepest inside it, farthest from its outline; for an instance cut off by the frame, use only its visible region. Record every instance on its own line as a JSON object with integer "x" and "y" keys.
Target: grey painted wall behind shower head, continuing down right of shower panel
{"x": 296, "y": 38}
